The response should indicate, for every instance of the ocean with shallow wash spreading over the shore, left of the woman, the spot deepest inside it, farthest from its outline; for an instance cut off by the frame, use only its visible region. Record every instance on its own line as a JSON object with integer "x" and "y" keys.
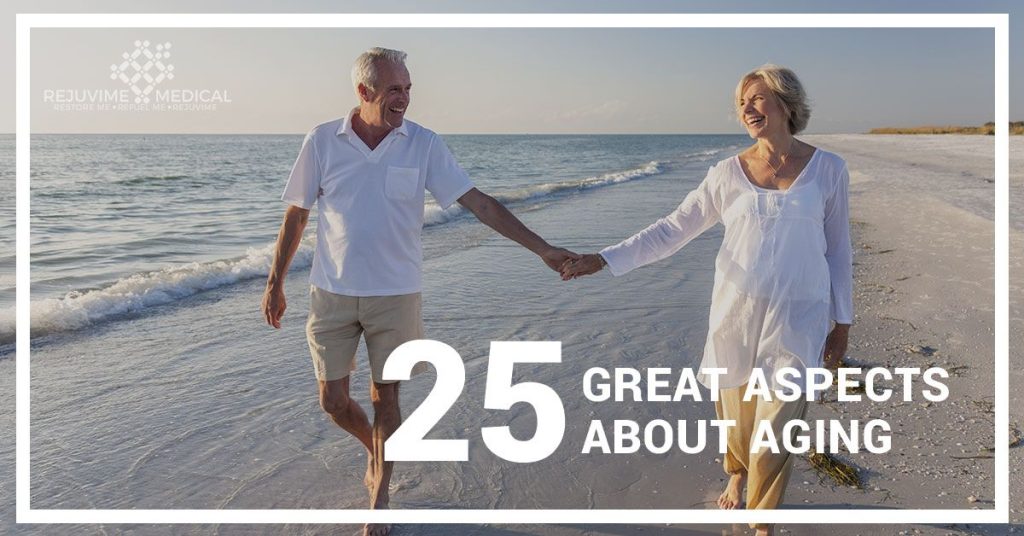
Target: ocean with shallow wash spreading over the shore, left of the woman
{"x": 156, "y": 383}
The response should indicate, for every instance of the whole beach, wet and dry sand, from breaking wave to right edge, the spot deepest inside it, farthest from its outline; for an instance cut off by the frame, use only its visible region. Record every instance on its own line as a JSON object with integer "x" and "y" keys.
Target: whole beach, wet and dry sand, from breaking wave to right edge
{"x": 205, "y": 407}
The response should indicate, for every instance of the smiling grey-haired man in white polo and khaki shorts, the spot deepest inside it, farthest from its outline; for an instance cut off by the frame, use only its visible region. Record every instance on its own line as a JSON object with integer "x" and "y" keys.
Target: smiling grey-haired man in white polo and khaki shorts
{"x": 368, "y": 174}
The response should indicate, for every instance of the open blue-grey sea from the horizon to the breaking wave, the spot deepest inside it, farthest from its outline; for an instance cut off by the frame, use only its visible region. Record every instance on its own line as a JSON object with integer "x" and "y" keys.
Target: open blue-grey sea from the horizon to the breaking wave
{"x": 125, "y": 224}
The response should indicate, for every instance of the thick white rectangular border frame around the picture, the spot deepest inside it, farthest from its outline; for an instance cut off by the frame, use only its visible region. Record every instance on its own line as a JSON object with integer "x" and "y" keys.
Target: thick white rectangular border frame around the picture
{"x": 998, "y": 22}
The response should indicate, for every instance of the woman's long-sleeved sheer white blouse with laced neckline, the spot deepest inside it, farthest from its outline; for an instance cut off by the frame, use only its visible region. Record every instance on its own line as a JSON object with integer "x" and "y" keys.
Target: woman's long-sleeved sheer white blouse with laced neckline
{"x": 785, "y": 270}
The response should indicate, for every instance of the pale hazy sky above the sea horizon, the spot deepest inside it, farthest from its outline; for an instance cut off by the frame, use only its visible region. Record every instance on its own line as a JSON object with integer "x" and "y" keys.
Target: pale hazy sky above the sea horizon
{"x": 521, "y": 80}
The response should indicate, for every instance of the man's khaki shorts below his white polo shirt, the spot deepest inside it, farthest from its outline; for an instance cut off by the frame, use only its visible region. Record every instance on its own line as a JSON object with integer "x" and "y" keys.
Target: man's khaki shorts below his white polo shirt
{"x": 337, "y": 321}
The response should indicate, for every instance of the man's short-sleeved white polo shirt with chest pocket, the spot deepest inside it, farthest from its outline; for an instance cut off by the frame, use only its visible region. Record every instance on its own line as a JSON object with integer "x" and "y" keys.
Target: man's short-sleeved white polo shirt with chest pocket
{"x": 371, "y": 204}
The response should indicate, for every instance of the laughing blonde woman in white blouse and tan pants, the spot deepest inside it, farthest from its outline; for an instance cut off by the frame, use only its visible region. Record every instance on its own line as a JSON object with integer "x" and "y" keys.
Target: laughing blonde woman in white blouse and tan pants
{"x": 783, "y": 295}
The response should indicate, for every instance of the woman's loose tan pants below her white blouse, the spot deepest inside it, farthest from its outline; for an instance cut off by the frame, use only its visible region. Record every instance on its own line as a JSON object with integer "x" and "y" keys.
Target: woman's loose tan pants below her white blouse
{"x": 767, "y": 473}
